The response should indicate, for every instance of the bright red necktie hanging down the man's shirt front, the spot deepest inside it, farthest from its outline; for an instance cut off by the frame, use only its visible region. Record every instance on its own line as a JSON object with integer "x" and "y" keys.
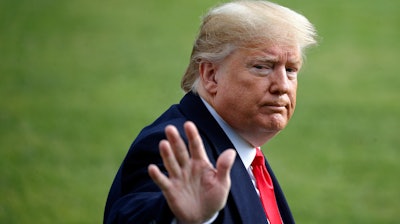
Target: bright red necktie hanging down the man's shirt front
{"x": 266, "y": 188}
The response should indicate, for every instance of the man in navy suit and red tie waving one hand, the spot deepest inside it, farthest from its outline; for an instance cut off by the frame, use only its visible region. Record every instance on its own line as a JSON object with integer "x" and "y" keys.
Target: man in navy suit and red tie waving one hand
{"x": 240, "y": 92}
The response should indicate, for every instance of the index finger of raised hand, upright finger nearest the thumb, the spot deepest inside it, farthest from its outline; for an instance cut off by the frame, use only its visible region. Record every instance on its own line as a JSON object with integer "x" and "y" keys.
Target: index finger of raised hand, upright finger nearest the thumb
{"x": 196, "y": 146}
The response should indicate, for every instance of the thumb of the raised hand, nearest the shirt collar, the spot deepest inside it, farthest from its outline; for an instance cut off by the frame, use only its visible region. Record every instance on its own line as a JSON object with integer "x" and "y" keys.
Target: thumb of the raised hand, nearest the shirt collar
{"x": 224, "y": 165}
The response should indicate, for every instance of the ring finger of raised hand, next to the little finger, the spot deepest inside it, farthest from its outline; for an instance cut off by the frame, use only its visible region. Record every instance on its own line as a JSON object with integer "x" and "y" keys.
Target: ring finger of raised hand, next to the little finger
{"x": 169, "y": 159}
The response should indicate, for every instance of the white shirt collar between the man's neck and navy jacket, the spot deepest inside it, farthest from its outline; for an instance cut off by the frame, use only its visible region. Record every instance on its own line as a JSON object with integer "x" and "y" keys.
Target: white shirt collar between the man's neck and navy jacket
{"x": 244, "y": 149}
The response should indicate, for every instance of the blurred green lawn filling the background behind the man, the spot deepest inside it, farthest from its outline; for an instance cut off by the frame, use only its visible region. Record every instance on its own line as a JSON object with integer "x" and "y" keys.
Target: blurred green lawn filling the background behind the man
{"x": 80, "y": 78}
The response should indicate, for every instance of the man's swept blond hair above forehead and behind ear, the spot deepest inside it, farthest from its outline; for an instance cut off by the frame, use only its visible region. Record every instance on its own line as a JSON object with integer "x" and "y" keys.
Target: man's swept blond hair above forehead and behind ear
{"x": 245, "y": 23}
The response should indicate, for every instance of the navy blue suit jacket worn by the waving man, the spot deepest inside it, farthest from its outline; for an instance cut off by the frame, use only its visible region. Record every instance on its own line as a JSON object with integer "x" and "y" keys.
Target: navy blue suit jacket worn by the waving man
{"x": 135, "y": 198}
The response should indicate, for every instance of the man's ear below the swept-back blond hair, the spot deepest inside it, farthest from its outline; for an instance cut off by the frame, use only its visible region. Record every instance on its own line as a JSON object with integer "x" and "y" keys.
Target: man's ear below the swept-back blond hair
{"x": 208, "y": 71}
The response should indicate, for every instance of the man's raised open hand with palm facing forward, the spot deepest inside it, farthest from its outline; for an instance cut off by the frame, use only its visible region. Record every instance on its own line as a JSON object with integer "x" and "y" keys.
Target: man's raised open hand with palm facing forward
{"x": 194, "y": 189}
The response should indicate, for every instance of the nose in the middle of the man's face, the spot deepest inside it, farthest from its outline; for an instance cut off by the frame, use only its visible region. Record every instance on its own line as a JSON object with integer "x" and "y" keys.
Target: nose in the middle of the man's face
{"x": 279, "y": 81}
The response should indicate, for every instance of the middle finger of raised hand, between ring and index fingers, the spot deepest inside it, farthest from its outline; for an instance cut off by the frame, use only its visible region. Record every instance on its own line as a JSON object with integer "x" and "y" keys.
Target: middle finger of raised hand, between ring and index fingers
{"x": 178, "y": 145}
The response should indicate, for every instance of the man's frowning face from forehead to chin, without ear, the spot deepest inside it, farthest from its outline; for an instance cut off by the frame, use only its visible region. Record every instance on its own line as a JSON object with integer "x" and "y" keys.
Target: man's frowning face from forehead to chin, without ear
{"x": 256, "y": 90}
